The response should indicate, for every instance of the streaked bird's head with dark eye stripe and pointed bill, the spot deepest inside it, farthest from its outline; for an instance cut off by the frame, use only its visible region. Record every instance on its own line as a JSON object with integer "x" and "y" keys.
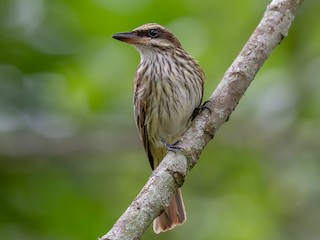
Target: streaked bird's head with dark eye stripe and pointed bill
{"x": 150, "y": 37}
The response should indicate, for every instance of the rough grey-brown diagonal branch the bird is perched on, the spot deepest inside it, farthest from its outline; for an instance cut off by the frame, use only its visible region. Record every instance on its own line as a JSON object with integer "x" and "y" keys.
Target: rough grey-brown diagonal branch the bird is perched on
{"x": 170, "y": 174}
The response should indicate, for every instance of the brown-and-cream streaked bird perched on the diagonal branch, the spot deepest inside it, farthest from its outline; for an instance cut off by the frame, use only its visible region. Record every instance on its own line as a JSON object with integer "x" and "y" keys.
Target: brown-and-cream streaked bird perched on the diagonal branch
{"x": 168, "y": 92}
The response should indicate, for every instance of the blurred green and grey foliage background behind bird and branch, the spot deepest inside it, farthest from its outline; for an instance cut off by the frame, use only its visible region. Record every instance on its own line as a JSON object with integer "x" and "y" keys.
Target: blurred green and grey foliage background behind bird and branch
{"x": 70, "y": 156}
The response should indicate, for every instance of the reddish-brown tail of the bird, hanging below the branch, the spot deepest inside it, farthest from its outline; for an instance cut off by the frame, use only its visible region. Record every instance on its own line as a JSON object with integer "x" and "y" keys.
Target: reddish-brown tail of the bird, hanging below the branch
{"x": 172, "y": 216}
